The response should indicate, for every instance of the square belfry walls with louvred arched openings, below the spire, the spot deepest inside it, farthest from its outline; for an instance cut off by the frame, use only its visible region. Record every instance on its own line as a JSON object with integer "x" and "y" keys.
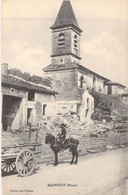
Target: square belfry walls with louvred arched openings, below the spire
{"x": 65, "y": 41}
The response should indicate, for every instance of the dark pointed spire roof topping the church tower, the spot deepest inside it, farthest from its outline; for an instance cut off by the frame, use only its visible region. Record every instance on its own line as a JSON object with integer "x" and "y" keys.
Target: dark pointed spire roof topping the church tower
{"x": 66, "y": 17}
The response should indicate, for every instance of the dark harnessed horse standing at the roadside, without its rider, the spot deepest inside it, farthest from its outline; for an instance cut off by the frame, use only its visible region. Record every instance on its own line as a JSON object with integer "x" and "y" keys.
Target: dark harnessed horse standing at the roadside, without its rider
{"x": 56, "y": 146}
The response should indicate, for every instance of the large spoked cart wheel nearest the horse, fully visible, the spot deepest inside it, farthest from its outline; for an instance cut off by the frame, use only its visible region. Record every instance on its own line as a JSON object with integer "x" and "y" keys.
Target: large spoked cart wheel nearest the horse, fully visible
{"x": 25, "y": 162}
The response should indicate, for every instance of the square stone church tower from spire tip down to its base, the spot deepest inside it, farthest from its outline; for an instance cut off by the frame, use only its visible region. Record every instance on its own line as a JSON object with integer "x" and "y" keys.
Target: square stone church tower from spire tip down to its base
{"x": 65, "y": 60}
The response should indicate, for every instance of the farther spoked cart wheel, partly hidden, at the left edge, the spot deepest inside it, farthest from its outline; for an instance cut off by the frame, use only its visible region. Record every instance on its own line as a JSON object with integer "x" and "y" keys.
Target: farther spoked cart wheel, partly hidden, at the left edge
{"x": 8, "y": 166}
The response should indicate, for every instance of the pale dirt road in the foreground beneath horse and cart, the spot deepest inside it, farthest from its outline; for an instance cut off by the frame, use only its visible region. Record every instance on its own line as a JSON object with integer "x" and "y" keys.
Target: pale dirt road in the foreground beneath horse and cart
{"x": 101, "y": 174}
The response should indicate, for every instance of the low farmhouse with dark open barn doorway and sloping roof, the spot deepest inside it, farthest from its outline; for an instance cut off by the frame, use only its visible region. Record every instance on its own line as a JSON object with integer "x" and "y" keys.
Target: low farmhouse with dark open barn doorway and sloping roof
{"x": 25, "y": 102}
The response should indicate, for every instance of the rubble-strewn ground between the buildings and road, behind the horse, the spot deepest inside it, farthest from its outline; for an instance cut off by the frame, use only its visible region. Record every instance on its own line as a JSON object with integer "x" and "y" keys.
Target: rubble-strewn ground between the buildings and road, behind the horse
{"x": 94, "y": 136}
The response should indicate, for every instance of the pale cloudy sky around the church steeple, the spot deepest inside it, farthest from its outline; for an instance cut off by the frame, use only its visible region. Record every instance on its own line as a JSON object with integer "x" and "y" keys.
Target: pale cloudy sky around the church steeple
{"x": 26, "y": 35}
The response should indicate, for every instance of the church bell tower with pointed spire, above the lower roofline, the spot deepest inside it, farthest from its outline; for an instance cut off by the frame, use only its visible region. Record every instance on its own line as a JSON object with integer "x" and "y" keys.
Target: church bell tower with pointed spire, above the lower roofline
{"x": 65, "y": 36}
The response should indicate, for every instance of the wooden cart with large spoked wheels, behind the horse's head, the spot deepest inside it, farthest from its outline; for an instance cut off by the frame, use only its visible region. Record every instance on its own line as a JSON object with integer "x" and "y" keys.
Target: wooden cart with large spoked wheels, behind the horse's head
{"x": 21, "y": 158}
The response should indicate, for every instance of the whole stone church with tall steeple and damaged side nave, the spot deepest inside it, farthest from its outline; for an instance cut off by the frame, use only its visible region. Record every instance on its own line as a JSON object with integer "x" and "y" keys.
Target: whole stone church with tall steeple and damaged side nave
{"x": 70, "y": 79}
